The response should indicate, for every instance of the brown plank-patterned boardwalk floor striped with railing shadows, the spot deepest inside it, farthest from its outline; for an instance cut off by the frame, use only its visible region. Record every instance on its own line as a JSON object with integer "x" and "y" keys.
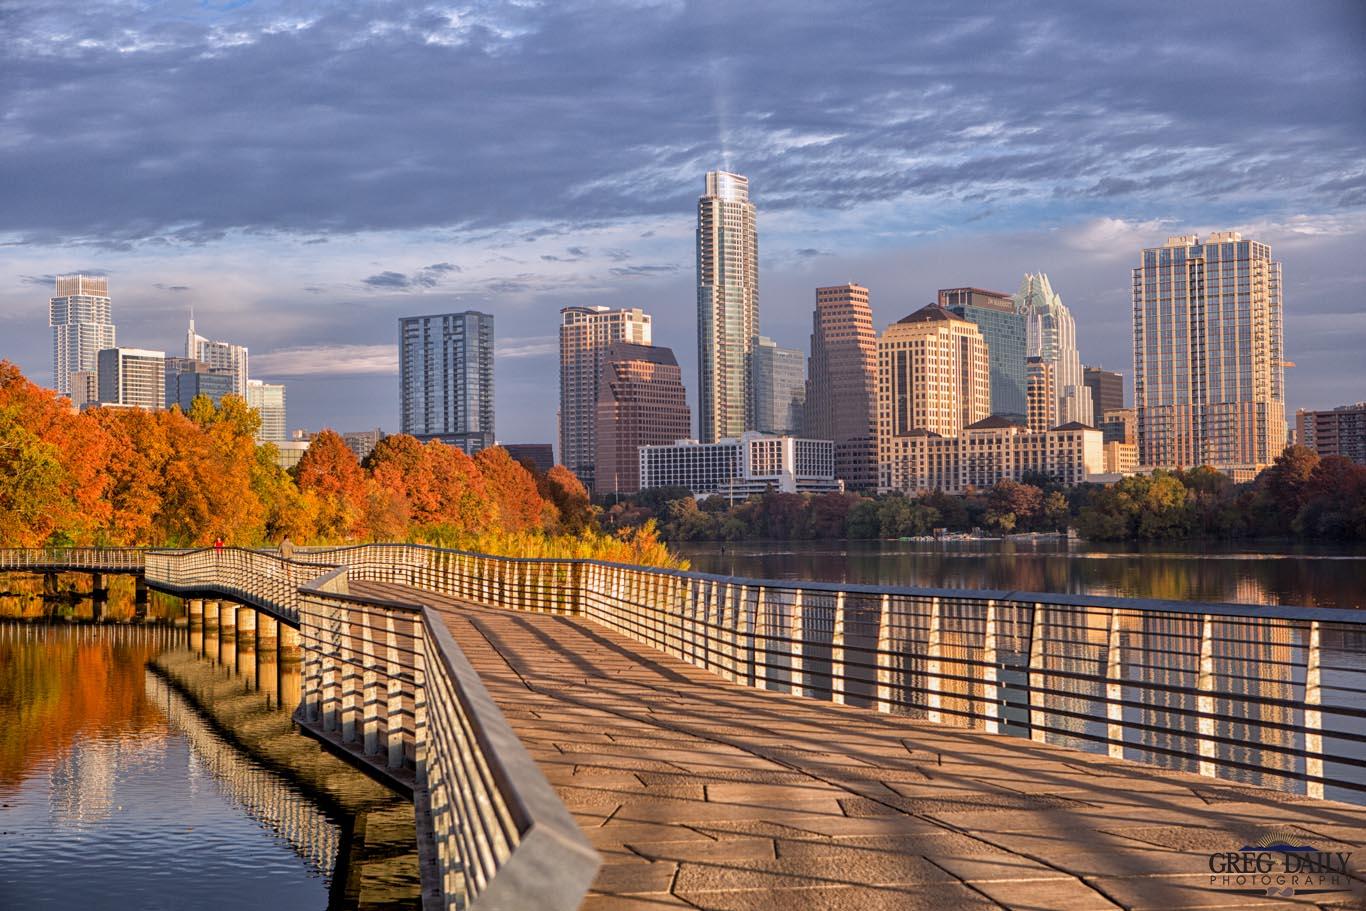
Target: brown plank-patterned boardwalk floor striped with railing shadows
{"x": 704, "y": 794}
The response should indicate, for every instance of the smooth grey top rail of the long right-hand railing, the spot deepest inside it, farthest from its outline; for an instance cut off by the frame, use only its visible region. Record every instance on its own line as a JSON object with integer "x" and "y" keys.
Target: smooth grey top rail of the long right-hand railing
{"x": 1066, "y": 600}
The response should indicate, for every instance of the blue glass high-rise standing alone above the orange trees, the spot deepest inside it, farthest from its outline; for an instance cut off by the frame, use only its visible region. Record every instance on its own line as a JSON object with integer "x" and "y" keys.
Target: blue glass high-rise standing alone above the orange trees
{"x": 446, "y": 379}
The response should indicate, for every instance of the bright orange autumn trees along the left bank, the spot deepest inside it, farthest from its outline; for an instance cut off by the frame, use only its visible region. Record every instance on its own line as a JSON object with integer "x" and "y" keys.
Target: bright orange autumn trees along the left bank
{"x": 167, "y": 479}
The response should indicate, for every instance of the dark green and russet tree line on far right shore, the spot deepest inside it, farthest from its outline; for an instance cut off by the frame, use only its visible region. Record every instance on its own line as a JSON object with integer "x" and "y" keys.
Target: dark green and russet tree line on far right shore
{"x": 1301, "y": 496}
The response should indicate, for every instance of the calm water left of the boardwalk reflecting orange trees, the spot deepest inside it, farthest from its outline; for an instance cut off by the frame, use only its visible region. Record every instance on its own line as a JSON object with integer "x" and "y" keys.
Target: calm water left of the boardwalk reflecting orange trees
{"x": 115, "y": 794}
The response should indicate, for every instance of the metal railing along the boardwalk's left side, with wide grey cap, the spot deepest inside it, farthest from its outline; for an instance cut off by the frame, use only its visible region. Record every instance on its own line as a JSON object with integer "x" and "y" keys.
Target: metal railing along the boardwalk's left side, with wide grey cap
{"x": 386, "y": 682}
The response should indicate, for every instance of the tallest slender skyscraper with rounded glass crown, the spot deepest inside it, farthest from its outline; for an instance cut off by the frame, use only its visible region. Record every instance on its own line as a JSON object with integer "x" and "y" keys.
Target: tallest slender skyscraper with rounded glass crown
{"x": 727, "y": 305}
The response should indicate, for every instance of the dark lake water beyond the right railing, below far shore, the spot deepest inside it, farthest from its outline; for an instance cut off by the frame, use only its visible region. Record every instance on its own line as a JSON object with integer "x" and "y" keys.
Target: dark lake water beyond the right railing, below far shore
{"x": 1244, "y": 574}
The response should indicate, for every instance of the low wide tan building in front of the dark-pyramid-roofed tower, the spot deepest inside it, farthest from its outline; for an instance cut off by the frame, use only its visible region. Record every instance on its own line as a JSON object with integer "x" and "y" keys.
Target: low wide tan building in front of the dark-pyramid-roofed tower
{"x": 986, "y": 453}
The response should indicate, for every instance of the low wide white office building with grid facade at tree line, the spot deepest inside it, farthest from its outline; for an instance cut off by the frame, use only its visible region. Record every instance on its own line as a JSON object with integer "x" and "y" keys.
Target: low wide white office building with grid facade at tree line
{"x": 741, "y": 468}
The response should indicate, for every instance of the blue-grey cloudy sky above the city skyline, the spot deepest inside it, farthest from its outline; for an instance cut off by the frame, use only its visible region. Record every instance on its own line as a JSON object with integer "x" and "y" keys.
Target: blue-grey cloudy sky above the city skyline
{"x": 304, "y": 174}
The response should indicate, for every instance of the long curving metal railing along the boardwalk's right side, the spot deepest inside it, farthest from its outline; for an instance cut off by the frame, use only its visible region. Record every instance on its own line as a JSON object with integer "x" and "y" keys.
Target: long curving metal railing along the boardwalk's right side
{"x": 1270, "y": 696}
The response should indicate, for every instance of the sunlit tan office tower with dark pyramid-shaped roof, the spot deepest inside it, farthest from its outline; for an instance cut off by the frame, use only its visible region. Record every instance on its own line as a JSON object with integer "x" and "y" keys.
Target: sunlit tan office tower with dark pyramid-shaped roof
{"x": 932, "y": 375}
